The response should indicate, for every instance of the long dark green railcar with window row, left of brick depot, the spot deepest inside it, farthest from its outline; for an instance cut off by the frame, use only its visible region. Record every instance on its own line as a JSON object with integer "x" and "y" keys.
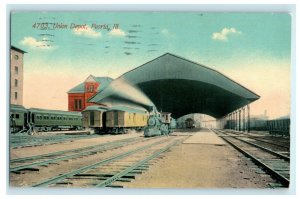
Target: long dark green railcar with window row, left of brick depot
{"x": 48, "y": 120}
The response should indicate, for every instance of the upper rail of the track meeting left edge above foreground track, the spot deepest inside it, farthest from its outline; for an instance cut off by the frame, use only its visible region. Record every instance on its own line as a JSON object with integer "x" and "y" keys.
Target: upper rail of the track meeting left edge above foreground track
{"x": 66, "y": 151}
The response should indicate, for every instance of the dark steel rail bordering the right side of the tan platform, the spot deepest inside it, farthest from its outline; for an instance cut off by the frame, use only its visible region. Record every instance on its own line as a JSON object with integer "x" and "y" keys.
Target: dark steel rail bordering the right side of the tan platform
{"x": 271, "y": 171}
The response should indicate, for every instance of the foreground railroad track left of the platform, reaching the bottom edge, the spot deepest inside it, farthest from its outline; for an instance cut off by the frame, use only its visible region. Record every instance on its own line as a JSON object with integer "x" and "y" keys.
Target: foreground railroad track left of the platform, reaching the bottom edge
{"x": 121, "y": 167}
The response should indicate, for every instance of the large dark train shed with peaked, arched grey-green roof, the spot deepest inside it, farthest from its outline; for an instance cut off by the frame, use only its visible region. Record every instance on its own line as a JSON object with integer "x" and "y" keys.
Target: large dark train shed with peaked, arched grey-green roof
{"x": 180, "y": 86}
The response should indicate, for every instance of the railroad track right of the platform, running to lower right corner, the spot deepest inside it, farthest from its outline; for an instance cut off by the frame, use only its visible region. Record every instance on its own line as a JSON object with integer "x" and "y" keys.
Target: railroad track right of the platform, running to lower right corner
{"x": 276, "y": 164}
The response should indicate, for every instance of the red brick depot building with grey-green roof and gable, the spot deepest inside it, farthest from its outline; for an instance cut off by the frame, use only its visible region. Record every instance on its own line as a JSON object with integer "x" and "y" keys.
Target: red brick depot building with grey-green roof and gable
{"x": 79, "y": 95}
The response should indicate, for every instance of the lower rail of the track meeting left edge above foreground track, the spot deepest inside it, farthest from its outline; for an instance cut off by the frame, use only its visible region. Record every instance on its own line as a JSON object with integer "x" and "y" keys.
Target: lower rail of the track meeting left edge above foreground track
{"x": 97, "y": 149}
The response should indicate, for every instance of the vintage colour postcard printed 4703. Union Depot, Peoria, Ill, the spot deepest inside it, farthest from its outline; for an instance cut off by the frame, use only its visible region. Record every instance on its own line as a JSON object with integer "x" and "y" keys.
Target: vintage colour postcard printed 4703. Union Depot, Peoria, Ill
{"x": 150, "y": 100}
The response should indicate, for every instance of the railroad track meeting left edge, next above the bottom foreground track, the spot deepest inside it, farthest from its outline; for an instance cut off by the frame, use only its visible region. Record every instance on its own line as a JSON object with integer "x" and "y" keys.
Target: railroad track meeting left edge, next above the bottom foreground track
{"x": 32, "y": 162}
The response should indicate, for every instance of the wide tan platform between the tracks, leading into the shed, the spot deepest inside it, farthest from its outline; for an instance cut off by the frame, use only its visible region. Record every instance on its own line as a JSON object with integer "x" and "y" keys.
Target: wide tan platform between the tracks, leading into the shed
{"x": 203, "y": 160}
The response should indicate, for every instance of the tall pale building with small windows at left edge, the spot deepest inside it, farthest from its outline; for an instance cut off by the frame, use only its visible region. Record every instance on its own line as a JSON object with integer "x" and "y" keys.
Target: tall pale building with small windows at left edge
{"x": 16, "y": 75}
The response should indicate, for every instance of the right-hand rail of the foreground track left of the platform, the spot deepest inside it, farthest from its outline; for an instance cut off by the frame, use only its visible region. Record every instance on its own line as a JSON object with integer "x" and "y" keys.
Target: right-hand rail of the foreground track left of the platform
{"x": 135, "y": 166}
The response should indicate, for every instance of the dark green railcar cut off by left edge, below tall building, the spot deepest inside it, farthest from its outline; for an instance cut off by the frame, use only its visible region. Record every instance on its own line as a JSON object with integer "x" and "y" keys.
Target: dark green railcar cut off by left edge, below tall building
{"x": 18, "y": 118}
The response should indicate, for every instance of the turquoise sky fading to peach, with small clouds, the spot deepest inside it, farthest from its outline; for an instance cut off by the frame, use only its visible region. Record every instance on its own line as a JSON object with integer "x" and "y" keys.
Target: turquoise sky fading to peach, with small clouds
{"x": 64, "y": 48}
